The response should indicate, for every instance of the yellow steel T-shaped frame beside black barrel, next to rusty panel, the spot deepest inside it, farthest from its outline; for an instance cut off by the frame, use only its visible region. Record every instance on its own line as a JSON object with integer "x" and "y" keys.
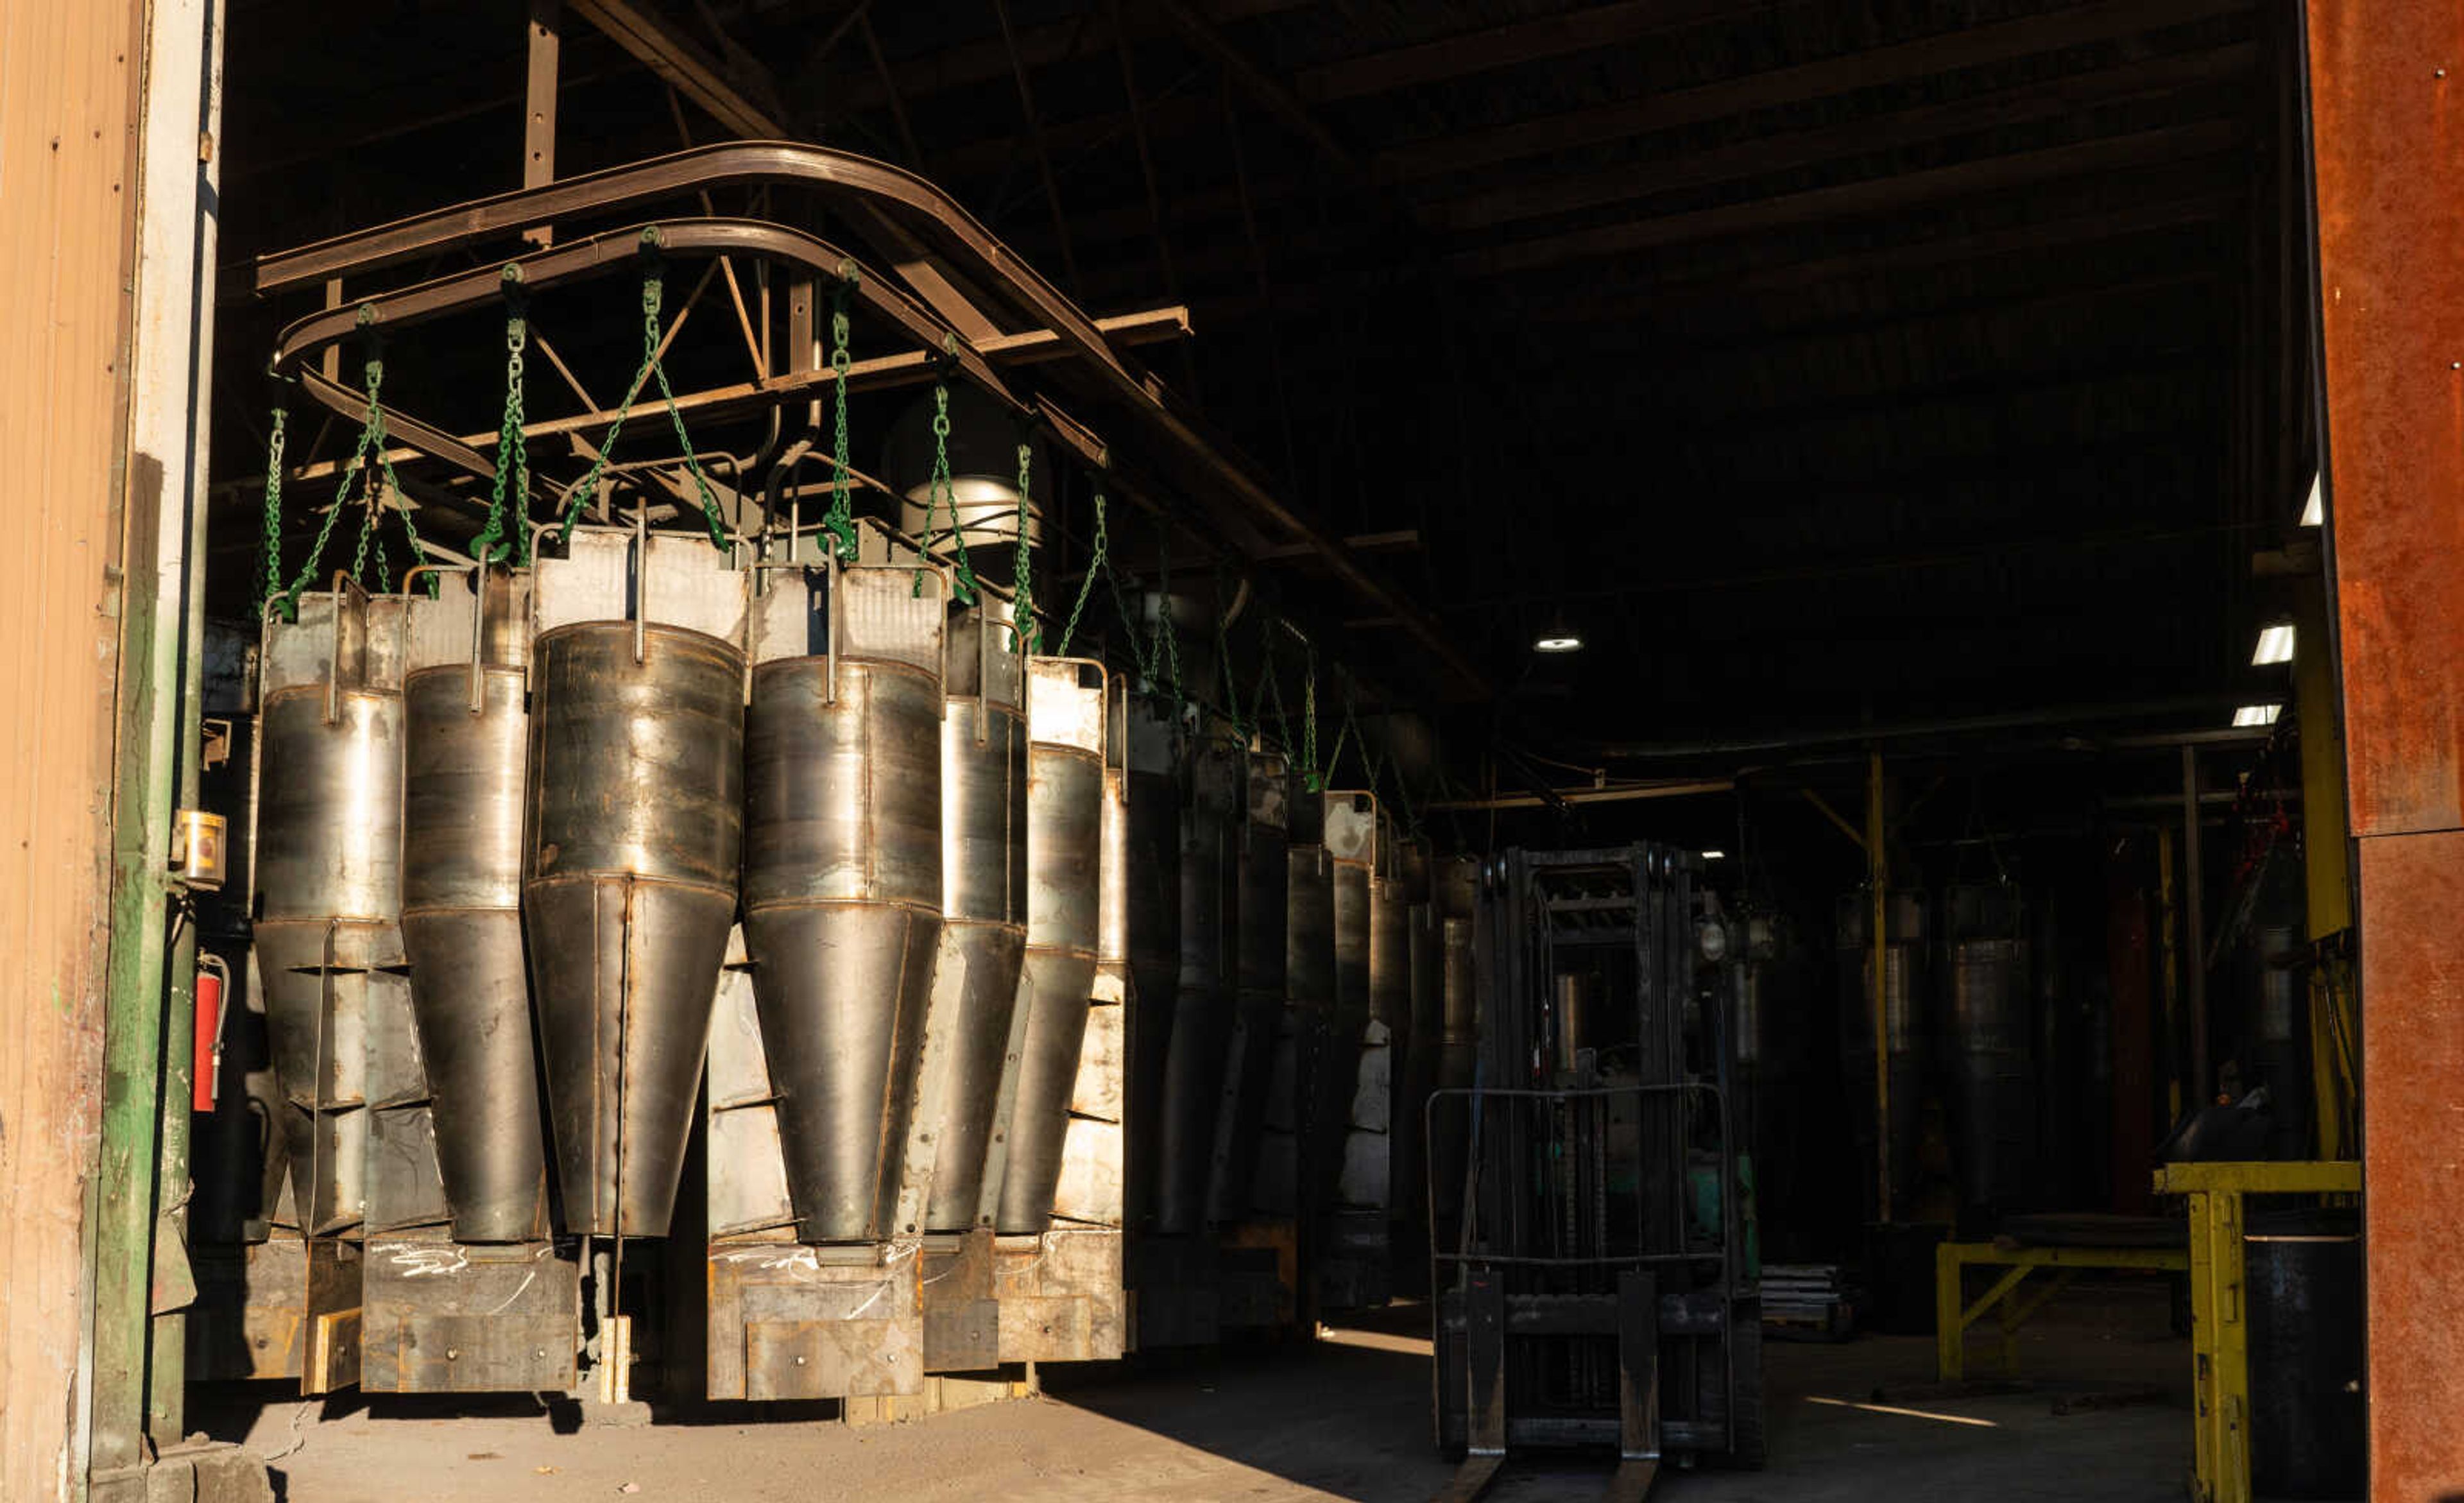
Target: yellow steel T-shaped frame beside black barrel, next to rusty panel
{"x": 2219, "y": 1317}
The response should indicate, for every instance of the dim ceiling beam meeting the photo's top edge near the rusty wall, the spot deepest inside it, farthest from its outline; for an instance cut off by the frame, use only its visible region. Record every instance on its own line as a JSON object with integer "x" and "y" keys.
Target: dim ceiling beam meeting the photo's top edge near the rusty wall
{"x": 1899, "y": 63}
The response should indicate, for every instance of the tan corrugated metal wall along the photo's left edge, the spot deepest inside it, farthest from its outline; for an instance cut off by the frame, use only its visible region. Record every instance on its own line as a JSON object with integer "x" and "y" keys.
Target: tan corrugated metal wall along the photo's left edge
{"x": 68, "y": 196}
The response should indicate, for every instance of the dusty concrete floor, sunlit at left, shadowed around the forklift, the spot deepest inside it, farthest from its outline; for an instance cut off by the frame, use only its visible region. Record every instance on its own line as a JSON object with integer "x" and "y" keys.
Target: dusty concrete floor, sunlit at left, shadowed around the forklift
{"x": 1344, "y": 1420}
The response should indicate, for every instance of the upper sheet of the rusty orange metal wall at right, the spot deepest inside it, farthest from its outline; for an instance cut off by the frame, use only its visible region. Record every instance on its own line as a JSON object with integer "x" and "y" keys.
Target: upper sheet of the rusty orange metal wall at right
{"x": 2389, "y": 129}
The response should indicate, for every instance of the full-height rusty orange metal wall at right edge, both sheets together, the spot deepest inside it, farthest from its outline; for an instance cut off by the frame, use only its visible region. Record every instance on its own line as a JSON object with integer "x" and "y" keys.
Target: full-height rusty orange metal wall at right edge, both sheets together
{"x": 2389, "y": 129}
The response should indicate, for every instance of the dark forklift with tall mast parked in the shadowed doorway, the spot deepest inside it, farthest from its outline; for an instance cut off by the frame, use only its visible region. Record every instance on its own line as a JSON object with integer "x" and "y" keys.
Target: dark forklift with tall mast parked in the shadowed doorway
{"x": 1593, "y": 1270}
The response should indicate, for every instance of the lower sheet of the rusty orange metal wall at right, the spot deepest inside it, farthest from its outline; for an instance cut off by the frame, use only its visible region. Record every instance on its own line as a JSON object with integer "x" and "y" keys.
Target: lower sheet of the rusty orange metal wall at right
{"x": 2413, "y": 1058}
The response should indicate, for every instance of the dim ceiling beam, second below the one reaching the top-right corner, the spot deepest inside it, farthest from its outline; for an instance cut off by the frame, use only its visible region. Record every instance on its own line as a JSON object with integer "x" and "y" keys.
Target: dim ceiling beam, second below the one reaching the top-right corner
{"x": 1874, "y": 196}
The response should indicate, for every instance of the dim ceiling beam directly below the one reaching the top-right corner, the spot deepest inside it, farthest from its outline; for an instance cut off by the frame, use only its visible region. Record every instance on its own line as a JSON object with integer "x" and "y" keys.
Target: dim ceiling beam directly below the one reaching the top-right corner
{"x": 1761, "y": 156}
